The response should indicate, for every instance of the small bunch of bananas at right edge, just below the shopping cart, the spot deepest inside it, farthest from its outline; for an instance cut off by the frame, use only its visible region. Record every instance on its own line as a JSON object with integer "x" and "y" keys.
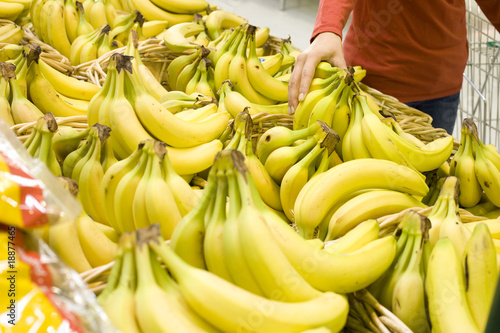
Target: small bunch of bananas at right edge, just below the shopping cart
{"x": 477, "y": 166}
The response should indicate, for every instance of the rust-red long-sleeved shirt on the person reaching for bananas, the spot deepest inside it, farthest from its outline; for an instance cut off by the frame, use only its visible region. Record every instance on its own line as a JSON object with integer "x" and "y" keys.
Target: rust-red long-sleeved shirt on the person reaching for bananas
{"x": 412, "y": 49}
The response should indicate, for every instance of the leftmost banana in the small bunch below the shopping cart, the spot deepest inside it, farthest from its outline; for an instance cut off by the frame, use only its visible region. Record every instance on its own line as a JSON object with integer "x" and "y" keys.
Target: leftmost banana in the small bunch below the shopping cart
{"x": 464, "y": 170}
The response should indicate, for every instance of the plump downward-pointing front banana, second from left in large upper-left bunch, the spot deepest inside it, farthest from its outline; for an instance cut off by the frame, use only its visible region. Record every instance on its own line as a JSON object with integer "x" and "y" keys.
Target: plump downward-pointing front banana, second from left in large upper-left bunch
{"x": 127, "y": 130}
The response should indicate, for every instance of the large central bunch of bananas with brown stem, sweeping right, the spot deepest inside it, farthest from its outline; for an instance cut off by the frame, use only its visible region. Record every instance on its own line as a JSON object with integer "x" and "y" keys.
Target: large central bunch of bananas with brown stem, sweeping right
{"x": 249, "y": 245}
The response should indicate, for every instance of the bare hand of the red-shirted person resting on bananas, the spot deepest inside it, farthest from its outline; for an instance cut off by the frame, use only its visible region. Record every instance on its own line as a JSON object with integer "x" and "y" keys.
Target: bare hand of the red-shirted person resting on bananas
{"x": 326, "y": 46}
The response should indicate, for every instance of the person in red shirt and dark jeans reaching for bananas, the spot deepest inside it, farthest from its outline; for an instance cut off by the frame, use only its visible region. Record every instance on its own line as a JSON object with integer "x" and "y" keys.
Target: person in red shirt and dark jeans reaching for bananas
{"x": 415, "y": 51}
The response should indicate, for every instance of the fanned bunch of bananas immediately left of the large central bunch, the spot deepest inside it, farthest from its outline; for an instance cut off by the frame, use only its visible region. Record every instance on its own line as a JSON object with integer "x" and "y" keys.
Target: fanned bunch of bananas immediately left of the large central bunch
{"x": 130, "y": 191}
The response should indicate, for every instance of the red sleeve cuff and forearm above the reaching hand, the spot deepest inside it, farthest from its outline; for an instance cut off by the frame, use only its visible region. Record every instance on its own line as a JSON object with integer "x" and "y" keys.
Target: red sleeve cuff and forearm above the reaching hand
{"x": 332, "y": 16}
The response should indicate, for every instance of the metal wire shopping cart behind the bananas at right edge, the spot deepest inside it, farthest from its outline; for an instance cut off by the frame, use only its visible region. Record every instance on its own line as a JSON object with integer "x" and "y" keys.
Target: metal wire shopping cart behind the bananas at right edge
{"x": 480, "y": 97}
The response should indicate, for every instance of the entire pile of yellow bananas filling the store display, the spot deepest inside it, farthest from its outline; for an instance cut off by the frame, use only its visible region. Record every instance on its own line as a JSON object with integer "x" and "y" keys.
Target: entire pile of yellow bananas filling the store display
{"x": 216, "y": 224}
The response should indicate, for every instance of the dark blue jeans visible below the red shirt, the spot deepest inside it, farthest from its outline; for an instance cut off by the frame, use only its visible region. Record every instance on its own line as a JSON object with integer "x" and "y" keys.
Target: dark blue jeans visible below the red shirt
{"x": 442, "y": 110}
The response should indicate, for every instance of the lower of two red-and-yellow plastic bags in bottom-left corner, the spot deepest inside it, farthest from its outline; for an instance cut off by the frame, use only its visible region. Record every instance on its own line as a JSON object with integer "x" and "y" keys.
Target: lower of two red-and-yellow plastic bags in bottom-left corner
{"x": 41, "y": 294}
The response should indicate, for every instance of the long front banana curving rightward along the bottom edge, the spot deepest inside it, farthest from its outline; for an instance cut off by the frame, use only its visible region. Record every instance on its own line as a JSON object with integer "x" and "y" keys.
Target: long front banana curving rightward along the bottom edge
{"x": 201, "y": 289}
